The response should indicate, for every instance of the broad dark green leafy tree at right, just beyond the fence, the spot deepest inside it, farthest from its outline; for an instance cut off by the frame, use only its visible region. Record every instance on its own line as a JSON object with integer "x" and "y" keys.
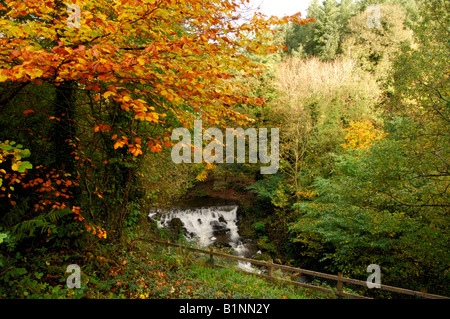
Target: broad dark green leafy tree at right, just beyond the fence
{"x": 375, "y": 209}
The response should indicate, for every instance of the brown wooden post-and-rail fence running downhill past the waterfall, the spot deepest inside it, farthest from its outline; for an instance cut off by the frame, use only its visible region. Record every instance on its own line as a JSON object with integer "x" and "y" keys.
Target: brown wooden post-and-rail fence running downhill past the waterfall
{"x": 270, "y": 265}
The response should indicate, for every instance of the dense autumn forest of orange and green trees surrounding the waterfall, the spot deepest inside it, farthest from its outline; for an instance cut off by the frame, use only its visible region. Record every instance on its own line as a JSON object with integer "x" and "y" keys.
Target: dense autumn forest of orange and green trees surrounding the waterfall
{"x": 360, "y": 95}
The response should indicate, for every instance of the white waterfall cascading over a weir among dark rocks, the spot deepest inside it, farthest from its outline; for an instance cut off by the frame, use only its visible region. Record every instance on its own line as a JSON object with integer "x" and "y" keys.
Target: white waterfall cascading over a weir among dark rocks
{"x": 208, "y": 226}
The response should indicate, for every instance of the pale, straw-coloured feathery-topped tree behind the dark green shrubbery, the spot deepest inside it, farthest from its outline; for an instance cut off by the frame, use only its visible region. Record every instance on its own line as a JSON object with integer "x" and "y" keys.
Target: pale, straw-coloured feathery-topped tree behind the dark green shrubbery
{"x": 317, "y": 100}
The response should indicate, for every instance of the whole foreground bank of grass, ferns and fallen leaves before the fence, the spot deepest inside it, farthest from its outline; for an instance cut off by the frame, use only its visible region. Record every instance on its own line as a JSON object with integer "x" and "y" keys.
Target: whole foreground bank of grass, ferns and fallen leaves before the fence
{"x": 137, "y": 269}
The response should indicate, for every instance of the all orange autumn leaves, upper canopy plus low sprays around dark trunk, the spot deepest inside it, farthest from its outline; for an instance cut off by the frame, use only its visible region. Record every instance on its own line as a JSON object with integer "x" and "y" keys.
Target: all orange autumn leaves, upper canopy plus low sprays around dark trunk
{"x": 131, "y": 56}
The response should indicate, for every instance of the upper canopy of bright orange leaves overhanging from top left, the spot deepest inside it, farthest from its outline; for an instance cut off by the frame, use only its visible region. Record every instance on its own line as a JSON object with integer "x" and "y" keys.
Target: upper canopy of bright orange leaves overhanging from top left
{"x": 173, "y": 62}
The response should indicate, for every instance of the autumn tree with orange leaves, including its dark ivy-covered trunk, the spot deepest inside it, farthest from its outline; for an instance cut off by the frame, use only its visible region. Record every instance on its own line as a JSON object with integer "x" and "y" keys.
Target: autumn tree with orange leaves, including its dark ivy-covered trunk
{"x": 98, "y": 84}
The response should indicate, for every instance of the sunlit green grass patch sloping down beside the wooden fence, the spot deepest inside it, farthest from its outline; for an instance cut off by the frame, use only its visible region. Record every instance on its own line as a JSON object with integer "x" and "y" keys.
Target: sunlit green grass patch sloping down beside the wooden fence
{"x": 186, "y": 276}
